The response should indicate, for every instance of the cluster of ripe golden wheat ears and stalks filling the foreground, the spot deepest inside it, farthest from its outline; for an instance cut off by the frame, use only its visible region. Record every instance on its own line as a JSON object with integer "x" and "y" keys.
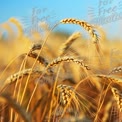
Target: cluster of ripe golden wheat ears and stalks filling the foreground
{"x": 63, "y": 84}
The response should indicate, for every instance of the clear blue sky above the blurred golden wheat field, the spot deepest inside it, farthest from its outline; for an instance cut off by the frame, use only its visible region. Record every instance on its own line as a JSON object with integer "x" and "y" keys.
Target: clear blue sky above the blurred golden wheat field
{"x": 56, "y": 10}
